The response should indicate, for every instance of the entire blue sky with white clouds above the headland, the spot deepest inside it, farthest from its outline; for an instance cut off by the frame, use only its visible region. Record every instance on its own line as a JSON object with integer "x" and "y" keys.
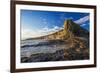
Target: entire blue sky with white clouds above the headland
{"x": 38, "y": 23}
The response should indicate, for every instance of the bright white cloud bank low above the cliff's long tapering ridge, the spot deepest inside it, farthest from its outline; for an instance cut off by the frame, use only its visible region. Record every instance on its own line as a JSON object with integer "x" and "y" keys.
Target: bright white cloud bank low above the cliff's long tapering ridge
{"x": 29, "y": 33}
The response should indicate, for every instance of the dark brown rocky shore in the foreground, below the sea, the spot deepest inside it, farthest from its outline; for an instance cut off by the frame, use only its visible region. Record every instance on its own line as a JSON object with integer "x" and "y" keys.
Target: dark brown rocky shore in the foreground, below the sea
{"x": 79, "y": 51}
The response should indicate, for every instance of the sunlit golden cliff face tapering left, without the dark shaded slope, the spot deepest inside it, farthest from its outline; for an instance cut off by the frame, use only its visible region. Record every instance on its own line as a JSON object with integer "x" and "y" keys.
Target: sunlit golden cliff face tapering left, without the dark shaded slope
{"x": 63, "y": 34}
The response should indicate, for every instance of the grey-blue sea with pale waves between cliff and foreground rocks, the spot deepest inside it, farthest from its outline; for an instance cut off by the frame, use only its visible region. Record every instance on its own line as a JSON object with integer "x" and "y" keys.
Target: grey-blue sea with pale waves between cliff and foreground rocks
{"x": 29, "y": 47}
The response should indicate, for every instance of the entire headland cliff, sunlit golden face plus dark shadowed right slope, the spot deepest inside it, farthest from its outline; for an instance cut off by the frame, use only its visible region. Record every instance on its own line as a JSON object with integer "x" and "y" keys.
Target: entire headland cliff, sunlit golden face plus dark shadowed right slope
{"x": 70, "y": 30}
